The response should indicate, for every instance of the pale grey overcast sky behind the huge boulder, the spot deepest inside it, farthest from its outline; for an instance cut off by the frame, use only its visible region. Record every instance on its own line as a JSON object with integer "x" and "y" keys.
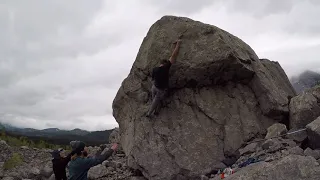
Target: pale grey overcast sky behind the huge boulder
{"x": 62, "y": 61}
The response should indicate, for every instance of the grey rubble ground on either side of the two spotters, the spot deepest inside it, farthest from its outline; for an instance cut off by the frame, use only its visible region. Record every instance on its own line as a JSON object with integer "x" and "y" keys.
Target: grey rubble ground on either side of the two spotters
{"x": 36, "y": 165}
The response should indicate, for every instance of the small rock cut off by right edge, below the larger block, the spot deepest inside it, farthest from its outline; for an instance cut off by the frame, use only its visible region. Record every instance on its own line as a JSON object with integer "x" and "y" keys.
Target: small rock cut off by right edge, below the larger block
{"x": 313, "y": 131}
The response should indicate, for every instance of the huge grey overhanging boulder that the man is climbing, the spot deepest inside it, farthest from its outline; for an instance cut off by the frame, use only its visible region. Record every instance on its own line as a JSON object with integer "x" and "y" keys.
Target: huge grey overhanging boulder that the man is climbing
{"x": 221, "y": 95}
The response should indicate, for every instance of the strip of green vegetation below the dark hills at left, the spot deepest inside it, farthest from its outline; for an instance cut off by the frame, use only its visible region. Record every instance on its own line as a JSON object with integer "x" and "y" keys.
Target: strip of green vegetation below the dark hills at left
{"x": 23, "y": 141}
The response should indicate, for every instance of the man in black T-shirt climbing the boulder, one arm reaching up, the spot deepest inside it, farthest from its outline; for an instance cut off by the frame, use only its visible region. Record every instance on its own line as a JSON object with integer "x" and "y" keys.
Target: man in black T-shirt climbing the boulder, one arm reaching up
{"x": 160, "y": 78}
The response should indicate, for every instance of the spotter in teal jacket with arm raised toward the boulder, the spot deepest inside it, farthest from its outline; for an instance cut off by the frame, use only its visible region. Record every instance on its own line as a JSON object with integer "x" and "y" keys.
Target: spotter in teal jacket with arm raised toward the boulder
{"x": 80, "y": 164}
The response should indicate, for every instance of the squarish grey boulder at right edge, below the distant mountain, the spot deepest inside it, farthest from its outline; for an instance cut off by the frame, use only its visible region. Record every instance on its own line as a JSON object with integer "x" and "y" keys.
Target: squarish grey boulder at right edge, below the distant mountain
{"x": 305, "y": 108}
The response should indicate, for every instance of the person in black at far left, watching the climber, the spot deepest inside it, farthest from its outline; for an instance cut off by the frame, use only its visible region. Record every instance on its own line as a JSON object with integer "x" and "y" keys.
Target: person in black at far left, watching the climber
{"x": 59, "y": 163}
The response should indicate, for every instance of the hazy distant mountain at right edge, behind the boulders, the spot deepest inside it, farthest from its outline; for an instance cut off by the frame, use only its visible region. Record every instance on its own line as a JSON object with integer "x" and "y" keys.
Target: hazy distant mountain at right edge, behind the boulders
{"x": 305, "y": 80}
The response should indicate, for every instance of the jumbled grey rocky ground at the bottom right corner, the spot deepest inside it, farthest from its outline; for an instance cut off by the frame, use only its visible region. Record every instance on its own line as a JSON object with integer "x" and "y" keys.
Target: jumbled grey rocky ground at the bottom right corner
{"x": 279, "y": 158}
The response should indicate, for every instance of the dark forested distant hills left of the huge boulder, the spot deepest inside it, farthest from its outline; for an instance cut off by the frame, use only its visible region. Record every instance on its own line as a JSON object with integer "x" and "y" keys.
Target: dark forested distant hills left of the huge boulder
{"x": 57, "y": 136}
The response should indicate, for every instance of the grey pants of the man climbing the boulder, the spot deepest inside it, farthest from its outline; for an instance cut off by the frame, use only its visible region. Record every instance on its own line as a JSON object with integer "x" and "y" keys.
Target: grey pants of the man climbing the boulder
{"x": 157, "y": 96}
